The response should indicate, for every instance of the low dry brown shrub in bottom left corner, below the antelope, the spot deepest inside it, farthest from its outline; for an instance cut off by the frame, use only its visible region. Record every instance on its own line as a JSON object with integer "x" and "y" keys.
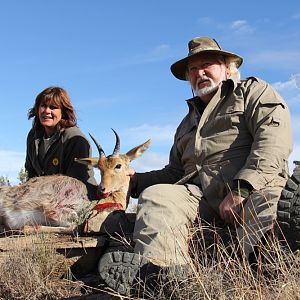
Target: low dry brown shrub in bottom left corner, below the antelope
{"x": 34, "y": 273}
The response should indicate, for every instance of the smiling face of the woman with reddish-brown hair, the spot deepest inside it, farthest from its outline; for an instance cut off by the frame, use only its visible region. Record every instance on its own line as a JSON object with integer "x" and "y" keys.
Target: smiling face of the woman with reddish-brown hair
{"x": 49, "y": 116}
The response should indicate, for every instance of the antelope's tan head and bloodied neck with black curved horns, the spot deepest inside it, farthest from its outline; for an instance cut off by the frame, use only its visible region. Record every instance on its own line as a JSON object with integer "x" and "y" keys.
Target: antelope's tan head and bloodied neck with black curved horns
{"x": 114, "y": 188}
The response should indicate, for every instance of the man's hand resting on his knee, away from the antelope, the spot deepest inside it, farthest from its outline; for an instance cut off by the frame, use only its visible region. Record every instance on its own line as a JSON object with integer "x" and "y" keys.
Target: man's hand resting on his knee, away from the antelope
{"x": 230, "y": 207}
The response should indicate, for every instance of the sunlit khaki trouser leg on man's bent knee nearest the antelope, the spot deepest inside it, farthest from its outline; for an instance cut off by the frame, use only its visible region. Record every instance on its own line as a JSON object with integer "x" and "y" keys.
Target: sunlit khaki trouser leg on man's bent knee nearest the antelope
{"x": 164, "y": 214}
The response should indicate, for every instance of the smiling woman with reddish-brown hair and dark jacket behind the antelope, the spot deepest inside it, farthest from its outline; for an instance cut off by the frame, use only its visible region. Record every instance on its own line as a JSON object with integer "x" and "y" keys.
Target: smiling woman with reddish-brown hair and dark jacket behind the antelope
{"x": 55, "y": 140}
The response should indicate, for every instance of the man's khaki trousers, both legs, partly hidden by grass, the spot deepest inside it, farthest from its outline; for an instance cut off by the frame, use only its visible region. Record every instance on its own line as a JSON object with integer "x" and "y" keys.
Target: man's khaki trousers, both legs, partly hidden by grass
{"x": 165, "y": 213}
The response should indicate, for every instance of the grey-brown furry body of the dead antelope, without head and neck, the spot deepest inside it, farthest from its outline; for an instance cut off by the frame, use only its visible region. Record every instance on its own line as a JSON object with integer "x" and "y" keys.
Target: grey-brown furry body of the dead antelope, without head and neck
{"x": 54, "y": 200}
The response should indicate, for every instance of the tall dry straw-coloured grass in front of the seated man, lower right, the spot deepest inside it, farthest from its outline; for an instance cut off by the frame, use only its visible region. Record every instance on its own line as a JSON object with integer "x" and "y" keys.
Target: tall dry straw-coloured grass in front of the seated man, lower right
{"x": 220, "y": 272}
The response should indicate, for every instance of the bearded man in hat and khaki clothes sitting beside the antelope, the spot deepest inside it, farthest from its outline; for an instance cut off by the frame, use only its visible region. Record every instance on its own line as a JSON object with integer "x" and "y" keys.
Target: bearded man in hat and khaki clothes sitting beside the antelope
{"x": 230, "y": 157}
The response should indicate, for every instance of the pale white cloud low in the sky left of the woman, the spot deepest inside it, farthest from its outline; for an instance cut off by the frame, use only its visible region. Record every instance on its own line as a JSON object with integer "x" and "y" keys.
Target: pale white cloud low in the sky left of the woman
{"x": 11, "y": 163}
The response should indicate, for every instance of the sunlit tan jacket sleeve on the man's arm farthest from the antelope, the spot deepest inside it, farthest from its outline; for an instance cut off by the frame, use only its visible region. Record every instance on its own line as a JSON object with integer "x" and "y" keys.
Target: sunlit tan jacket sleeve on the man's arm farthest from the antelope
{"x": 269, "y": 123}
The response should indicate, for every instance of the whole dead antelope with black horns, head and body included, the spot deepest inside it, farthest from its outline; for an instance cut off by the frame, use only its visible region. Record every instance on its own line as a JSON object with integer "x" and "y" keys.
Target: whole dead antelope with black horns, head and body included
{"x": 62, "y": 201}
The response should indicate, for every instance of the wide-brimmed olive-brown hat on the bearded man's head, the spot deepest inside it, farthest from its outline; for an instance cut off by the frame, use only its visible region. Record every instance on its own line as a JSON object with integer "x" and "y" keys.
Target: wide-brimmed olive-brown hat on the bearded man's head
{"x": 200, "y": 45}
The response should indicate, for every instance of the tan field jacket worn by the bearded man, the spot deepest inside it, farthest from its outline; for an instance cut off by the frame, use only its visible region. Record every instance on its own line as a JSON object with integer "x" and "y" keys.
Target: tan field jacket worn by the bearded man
{"x": 243, "y": 133}
